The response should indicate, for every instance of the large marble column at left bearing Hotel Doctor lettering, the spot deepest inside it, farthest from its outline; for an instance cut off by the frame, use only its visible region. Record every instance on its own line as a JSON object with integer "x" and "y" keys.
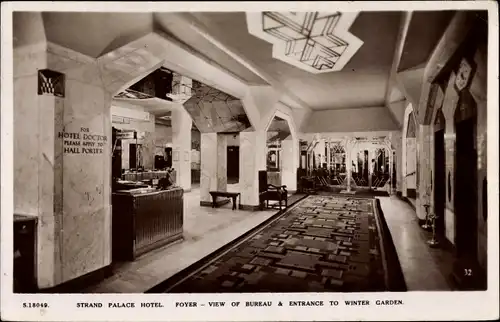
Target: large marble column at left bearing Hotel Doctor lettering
{"x": 62, "y": 157}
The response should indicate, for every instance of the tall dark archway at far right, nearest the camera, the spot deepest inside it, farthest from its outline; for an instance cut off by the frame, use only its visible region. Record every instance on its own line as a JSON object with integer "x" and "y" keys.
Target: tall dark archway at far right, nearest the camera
{"x": 465, "y": 191}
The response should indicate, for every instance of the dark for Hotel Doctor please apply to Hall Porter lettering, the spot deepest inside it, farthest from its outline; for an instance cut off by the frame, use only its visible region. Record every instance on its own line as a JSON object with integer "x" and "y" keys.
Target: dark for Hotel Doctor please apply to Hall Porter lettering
{"x": 82, "y": 142}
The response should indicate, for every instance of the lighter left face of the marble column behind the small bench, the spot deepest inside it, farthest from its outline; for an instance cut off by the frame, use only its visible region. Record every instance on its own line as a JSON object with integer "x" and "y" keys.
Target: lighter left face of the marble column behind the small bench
{"x": 208, "y": 179}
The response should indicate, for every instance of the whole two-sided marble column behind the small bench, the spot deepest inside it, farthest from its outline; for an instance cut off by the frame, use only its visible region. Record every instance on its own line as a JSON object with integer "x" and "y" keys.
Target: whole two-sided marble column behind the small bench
{"x": 213, "y": 166}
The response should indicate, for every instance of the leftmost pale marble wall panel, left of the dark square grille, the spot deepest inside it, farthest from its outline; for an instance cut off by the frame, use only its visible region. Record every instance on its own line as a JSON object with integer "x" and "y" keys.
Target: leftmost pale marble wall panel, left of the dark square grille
{"x": 26, "y": 143}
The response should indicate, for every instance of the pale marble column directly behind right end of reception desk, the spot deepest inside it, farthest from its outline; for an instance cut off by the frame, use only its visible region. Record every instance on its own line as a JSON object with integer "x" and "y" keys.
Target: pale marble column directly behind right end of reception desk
{"x": 181, "y": 147}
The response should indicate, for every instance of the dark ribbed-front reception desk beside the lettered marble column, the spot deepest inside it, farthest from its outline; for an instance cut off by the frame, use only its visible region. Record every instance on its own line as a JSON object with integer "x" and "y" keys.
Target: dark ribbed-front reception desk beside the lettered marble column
{"x": 145, "y": 219}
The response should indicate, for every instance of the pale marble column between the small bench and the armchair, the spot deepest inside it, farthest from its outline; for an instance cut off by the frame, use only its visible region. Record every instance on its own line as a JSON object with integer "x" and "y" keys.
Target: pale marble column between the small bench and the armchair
{"x": 252, "y": 160}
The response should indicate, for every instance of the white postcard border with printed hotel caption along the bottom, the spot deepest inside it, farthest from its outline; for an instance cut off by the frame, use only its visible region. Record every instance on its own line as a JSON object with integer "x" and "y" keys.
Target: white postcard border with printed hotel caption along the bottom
{"x": 416, "y": 305}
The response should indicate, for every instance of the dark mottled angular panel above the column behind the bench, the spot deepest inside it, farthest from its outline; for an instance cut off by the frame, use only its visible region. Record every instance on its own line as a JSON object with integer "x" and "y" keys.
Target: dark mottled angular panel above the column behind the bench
{"x": 215, "y": 111}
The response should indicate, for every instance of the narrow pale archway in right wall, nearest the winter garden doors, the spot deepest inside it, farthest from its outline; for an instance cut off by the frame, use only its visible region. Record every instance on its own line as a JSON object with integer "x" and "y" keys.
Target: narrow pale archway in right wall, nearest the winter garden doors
{"x": 409, "y": 155}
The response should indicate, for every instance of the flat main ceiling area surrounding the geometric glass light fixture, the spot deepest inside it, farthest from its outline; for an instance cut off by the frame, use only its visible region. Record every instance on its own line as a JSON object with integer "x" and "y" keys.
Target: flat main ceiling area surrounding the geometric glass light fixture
{"x": 366, "y": 72}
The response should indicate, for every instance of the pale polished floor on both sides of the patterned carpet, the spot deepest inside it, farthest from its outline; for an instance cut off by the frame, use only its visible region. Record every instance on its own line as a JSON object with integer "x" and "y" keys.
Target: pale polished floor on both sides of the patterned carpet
{"x": 207, "y": 229}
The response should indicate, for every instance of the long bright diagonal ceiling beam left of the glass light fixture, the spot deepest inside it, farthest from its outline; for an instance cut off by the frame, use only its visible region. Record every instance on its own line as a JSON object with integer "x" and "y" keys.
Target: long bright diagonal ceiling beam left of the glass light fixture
{"x": 198, "y": 27}
